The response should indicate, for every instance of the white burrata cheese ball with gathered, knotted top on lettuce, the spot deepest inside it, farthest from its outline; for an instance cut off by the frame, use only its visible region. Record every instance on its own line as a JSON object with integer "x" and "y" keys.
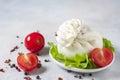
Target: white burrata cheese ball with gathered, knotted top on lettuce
{"x": 74, "y": 37}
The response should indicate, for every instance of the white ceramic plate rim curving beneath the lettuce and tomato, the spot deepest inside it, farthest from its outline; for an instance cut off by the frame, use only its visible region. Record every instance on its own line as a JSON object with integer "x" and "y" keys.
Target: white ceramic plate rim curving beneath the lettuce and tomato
{"x": 82, "y": 70}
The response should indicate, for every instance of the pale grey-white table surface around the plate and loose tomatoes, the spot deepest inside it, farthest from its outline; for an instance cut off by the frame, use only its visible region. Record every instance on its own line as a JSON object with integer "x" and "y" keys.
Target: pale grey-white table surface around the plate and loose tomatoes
{"x": 20, "y": 17}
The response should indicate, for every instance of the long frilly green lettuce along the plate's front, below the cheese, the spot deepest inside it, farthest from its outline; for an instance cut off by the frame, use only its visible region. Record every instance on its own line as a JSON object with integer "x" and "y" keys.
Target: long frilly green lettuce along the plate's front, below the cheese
{"x": 79, "y": 60}
